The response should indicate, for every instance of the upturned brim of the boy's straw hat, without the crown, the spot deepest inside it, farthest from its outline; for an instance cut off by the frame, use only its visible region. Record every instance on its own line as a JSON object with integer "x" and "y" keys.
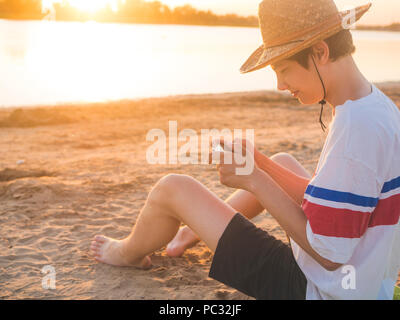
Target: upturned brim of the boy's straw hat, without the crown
{"x": 262, "y": 57}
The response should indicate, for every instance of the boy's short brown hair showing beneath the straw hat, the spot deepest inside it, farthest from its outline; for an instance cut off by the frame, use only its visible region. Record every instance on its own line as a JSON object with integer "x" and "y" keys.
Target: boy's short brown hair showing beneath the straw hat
{"x": 340, "y": 45}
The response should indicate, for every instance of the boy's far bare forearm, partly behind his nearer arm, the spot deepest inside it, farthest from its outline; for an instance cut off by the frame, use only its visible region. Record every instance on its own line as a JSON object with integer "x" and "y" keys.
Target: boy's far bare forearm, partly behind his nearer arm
{"x": 295, "y": 186}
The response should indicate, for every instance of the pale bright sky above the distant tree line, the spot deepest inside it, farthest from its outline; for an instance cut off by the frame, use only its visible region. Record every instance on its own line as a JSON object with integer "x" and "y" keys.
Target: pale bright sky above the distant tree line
{"x": 382, "y": 12}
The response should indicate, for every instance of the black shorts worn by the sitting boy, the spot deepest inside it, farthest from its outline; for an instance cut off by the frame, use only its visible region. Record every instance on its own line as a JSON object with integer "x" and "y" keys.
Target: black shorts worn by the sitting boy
{"x": 252, "y": 261}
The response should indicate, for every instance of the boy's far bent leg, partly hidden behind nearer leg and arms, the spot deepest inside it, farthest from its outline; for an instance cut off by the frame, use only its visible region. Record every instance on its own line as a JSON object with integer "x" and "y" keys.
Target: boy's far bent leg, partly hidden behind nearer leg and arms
{"x": 241, "y": 201}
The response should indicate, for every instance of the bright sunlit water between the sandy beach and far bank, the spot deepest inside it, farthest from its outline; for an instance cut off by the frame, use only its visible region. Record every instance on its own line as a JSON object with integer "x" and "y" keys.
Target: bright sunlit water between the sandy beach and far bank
{"x": 45, "y": 62}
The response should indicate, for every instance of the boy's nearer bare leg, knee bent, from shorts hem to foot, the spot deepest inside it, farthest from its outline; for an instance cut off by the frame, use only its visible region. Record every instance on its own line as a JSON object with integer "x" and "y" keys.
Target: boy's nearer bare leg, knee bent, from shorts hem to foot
{"x": 174, "y": 199}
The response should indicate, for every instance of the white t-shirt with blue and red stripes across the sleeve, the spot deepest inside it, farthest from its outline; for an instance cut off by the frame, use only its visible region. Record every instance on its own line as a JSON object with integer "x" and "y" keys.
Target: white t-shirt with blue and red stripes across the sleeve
{"x": 352, "y": 204}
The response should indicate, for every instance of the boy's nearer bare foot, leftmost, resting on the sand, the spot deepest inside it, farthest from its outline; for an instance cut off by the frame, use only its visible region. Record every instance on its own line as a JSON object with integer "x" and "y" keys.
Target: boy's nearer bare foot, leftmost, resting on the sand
{"x": 110, "y": 251}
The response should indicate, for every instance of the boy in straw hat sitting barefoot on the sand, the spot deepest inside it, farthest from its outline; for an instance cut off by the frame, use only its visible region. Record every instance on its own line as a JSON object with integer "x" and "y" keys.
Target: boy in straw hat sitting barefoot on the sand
{"x": 343, "y": 219}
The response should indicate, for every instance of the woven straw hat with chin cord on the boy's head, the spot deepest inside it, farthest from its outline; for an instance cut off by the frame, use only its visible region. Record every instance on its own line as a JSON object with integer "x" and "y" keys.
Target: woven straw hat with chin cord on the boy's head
{"x": 288, "y": 27}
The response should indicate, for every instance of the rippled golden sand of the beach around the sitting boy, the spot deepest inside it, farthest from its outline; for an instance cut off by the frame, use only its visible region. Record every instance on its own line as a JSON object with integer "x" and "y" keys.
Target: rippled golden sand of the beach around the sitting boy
{"x": 69, "y": 172}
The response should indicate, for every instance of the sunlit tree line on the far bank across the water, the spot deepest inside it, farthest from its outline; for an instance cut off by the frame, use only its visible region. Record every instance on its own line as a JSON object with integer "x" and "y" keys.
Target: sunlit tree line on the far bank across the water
{"x": 136, "y": 11}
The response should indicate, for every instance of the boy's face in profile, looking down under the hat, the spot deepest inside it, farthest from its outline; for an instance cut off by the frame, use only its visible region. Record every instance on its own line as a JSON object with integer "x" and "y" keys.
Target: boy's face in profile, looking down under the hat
{"x": 304, "y": 84}
